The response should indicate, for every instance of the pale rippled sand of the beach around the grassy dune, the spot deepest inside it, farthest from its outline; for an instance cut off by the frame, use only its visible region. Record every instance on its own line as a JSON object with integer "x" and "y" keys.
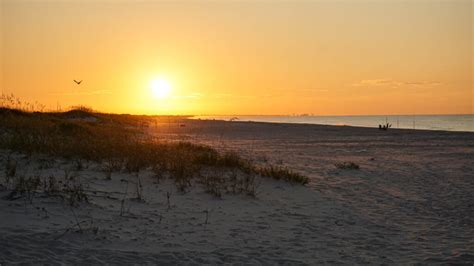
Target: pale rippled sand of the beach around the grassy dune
{"x": 412, "y": 201}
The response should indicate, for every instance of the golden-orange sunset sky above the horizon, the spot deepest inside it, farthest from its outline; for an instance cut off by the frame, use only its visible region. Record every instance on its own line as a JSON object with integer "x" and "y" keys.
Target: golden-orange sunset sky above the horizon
{"x": 347, "y": 57}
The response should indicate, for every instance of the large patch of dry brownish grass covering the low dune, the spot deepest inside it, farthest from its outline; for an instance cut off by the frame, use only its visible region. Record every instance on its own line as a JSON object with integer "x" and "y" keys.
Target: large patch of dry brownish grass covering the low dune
{"x": 118, "y": 142}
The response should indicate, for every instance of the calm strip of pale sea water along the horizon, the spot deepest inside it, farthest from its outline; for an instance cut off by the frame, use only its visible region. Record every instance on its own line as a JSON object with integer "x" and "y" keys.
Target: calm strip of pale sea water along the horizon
{"x": 427, "y": 122}
